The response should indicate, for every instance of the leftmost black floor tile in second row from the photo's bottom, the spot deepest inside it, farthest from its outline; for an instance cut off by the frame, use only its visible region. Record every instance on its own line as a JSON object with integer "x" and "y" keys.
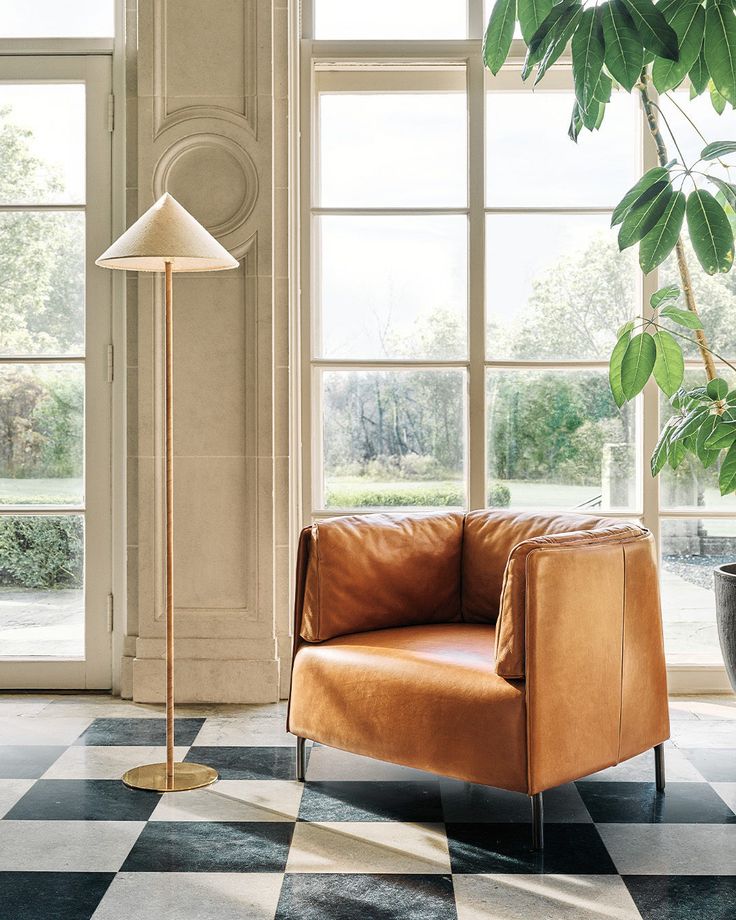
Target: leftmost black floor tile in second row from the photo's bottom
{"x": 204, "y": 846}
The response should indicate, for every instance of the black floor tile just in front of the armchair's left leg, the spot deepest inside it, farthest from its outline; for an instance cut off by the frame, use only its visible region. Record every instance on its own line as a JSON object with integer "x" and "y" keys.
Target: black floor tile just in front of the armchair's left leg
{"x": 371, "y": 801}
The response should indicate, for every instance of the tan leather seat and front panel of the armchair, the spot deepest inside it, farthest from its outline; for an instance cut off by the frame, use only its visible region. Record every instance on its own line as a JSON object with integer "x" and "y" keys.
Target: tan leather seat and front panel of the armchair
{"x": 423, "y": 696}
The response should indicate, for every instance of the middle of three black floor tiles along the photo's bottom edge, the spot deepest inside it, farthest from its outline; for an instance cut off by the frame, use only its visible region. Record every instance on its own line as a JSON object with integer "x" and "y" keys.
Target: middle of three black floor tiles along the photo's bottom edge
{"x": 366, "y": 897}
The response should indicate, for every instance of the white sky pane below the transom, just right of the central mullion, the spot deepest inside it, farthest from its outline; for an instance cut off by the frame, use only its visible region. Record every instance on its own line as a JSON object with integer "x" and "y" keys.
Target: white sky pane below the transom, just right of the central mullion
{"x": 531, "y": 162}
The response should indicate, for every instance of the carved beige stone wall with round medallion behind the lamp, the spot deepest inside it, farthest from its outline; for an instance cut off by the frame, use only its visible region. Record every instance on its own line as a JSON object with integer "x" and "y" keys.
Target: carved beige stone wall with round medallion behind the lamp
{"x": 207, "y": 121}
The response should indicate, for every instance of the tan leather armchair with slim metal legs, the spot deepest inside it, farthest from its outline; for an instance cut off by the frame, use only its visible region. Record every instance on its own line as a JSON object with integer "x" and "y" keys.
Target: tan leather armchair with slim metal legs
{"x": 517, "y": 650}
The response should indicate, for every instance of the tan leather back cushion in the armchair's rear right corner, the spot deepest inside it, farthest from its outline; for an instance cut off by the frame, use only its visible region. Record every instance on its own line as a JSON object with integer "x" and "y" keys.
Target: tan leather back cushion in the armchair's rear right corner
{"x": 487, "y": 543}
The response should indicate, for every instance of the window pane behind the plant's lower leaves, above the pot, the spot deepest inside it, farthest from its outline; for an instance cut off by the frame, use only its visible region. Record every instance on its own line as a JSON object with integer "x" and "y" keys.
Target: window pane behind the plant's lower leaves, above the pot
{"x": 690, "y": 486}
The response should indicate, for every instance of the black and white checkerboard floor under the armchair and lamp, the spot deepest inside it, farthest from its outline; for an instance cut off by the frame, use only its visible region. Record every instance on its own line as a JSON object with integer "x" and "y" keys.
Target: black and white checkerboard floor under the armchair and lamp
{"x": 362, "y": 839}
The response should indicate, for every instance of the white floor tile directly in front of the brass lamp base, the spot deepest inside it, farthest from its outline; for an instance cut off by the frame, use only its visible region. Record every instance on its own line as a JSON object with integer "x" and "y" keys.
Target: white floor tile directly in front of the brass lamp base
{"x": 233, "y": 800}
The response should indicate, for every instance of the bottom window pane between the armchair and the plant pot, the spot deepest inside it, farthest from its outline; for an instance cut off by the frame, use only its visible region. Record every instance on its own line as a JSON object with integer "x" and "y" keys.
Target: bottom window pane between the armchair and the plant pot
{"x": 690, "y": 550}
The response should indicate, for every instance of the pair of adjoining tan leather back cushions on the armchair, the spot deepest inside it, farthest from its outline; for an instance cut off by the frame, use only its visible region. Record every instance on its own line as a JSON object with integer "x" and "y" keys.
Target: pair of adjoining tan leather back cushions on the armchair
{"x": 377, "y": 571}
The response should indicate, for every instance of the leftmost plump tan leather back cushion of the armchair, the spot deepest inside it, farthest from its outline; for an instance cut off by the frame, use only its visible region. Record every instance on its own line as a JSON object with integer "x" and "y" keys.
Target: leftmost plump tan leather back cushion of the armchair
{"x": 381, "y": 570}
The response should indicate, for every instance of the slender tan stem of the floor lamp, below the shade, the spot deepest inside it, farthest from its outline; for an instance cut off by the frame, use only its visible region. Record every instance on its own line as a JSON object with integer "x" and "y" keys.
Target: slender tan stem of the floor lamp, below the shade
{"x": 169, "y": 420}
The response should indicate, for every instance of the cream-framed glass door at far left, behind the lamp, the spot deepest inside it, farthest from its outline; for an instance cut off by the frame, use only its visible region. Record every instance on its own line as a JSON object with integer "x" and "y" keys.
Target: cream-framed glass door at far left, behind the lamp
{"x": 55, "y": 394}
